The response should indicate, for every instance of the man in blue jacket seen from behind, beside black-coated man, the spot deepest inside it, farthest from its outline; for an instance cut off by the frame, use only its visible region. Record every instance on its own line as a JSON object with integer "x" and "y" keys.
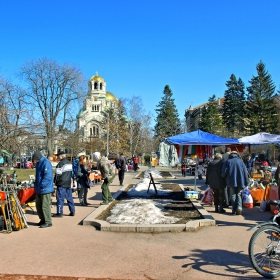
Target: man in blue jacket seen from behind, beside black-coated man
{"x": 235, "y": 172}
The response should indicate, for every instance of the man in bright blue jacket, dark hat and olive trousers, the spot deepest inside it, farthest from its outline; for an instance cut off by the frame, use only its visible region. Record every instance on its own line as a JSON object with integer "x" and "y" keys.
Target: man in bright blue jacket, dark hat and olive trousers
{"x": 43, "y": 186}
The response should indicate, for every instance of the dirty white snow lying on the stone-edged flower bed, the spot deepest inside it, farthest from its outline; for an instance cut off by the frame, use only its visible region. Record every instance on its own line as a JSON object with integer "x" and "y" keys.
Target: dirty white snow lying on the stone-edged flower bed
{"x": 141, "y": 210}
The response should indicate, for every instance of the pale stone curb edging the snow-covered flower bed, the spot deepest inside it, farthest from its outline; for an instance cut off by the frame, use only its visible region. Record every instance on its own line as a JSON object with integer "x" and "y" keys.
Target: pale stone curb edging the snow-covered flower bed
{"x": 190, "y": 226}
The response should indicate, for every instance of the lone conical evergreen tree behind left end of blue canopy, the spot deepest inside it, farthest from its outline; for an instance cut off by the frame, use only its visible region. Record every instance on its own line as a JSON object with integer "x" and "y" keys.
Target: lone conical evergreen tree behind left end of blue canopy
{"x": 167, "y": 120}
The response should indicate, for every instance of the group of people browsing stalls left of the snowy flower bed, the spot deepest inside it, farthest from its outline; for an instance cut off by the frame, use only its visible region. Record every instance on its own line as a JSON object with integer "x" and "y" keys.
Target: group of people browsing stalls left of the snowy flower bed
{"x": 67, "y": 172}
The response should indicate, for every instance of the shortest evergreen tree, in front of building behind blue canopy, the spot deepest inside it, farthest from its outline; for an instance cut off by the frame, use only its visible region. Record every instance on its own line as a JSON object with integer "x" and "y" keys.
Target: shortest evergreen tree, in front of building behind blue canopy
{"x": 211, "y": 120}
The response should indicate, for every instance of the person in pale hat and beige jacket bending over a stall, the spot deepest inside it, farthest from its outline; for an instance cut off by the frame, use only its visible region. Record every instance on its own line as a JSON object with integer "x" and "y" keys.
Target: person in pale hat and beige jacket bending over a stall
{"x": 105, "y": 169}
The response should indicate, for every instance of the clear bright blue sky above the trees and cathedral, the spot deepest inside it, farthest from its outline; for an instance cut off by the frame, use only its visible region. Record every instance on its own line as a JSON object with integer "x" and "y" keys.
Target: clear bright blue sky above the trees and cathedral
{"x": 138, "y": 47}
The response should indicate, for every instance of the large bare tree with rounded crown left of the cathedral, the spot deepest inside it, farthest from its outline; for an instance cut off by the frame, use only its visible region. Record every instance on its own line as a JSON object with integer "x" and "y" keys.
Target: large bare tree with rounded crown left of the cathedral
{"x": 52, "y": 89}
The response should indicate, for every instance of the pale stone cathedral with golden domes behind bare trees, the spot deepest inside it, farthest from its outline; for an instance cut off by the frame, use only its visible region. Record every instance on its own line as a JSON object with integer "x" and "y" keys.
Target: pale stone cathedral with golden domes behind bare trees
{"x": 90, "y": 117}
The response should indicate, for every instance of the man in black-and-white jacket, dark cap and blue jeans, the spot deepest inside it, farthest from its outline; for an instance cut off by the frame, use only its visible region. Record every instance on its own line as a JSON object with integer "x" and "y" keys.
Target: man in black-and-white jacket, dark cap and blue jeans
{"x": 62, "y": 179}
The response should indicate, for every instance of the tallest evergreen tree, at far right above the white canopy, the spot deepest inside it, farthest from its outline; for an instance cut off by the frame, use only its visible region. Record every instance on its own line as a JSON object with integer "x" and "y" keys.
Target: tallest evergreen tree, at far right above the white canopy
{"x": 260, "y": 109}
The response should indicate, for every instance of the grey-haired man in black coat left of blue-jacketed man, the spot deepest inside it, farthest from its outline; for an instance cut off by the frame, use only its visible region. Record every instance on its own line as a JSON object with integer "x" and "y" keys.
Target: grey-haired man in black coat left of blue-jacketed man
{"x": 216, "y": 182}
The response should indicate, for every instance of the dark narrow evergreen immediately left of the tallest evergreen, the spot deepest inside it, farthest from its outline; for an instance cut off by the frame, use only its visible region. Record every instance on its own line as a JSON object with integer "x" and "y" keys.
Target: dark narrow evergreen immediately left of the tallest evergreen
{"x": 233, "y": 106}
